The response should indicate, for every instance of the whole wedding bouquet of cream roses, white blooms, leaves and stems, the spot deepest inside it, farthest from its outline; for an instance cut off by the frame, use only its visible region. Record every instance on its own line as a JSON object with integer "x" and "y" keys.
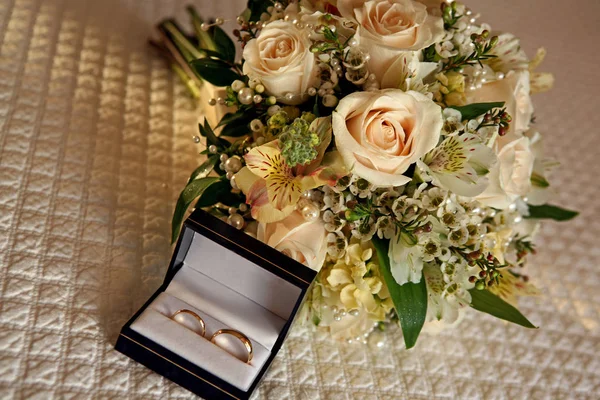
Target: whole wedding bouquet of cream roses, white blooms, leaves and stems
{"x": 388, "y": 144}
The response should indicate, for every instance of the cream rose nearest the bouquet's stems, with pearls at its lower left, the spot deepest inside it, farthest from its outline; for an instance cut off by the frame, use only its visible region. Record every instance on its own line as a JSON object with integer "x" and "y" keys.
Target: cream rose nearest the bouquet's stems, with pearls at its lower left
{"x": 281, "y": 59}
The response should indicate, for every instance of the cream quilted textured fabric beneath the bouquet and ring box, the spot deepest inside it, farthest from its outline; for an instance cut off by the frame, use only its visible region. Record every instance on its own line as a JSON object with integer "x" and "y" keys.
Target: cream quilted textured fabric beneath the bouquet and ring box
{"x": 95, "y": 144}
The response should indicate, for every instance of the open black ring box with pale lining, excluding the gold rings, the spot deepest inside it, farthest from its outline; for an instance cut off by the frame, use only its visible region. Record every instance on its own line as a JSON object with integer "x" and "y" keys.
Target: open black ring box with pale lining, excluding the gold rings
{"x": 230, "y": 280}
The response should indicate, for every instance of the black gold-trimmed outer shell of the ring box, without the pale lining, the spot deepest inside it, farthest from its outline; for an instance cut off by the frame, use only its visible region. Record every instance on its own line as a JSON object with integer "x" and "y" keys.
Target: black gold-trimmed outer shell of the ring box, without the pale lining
{"x": 178, "y": 369}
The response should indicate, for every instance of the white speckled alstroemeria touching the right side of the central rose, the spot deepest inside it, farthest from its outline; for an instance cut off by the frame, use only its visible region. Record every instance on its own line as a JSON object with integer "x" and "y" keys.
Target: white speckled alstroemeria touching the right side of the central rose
{"x": 459, "y": 164}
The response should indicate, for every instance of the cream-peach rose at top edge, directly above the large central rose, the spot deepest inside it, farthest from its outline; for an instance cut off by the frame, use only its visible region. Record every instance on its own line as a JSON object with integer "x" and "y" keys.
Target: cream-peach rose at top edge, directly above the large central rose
{"x": 392, "y": 31}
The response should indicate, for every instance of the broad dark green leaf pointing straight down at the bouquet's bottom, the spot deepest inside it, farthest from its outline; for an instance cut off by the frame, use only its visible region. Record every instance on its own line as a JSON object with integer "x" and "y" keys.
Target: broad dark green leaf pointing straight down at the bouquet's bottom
{"x": 410, "y": 299}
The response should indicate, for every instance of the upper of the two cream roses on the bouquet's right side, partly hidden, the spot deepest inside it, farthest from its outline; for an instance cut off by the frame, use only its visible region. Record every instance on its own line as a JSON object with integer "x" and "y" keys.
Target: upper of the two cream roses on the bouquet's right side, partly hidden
{"x": 514, "y": 90}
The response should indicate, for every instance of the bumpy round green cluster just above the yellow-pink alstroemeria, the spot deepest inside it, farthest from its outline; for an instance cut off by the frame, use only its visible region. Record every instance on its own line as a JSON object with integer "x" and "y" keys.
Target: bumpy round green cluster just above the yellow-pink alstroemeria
{"x": 298, "y": 144}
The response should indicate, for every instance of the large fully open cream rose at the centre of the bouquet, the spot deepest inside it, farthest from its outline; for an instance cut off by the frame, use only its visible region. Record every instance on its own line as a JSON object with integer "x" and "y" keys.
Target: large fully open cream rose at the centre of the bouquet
{"x": 381, "y": 133}
